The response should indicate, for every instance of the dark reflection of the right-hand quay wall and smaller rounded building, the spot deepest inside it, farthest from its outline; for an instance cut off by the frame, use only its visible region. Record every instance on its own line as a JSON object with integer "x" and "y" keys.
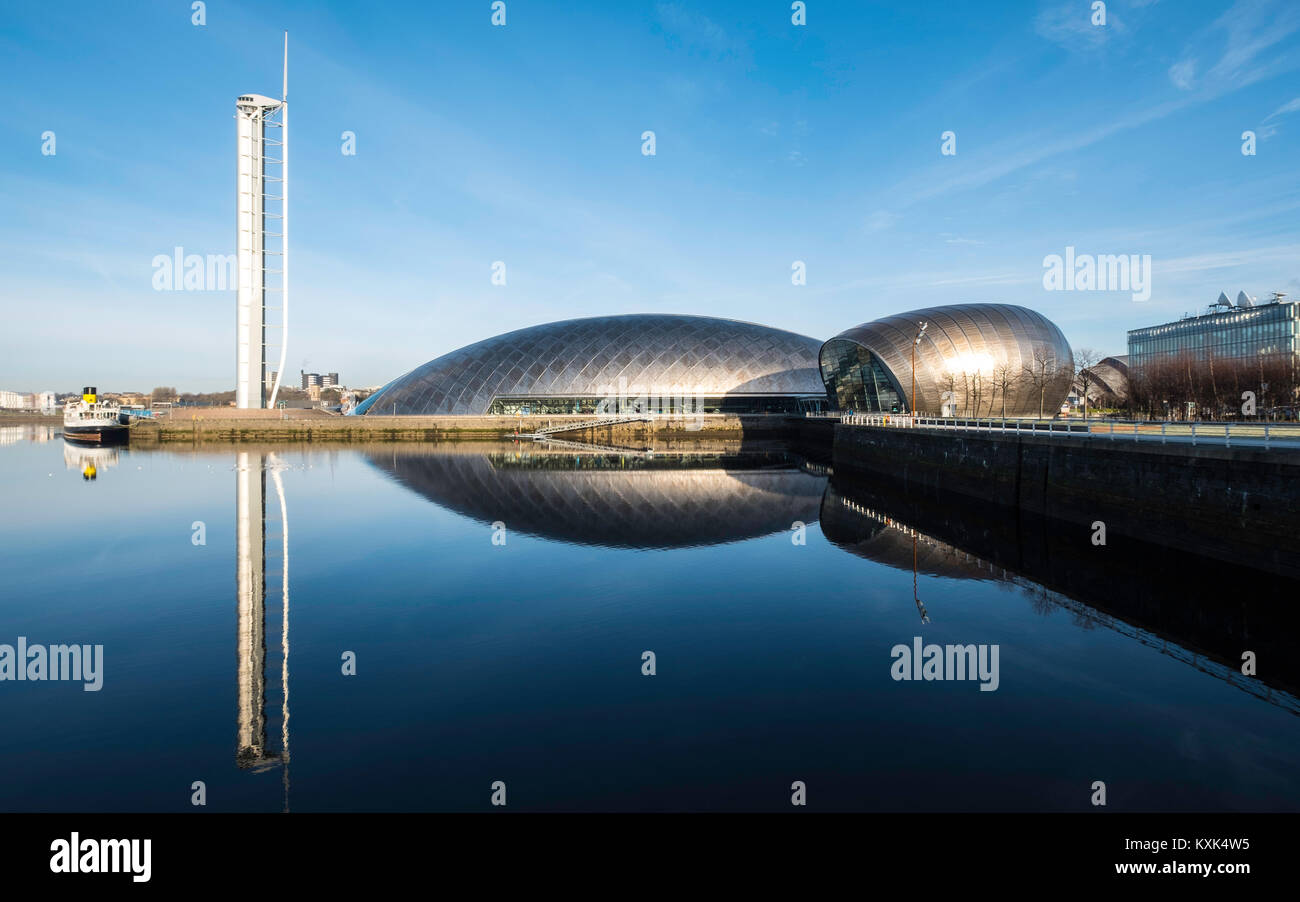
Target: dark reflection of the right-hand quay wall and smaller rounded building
{"x": 1199, "y": 619}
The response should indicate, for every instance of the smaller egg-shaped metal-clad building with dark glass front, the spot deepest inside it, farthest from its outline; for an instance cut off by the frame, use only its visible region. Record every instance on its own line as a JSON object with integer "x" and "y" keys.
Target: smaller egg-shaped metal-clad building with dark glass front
{"x": 995, "y": 359}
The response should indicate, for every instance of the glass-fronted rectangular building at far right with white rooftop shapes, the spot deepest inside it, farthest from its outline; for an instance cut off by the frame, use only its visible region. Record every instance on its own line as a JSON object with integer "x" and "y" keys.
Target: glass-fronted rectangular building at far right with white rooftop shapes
{"x": 1242, "y": 332}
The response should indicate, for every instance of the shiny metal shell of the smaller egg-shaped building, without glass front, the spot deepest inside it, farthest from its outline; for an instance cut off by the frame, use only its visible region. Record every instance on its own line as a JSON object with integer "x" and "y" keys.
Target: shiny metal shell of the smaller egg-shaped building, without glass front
{"x": 967, "y": 339}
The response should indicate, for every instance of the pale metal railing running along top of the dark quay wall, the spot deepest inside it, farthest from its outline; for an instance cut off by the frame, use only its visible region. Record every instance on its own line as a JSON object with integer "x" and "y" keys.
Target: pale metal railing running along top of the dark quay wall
{"x": 1253, "y": 435}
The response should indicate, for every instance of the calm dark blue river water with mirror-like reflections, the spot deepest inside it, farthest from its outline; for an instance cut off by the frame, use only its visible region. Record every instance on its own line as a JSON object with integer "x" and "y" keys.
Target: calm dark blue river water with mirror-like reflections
{"x": 497, "y": 602}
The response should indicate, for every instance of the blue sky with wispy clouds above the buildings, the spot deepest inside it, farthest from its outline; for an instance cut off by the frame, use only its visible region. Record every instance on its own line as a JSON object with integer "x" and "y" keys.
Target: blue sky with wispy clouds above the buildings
{"x": 523, "y": 144}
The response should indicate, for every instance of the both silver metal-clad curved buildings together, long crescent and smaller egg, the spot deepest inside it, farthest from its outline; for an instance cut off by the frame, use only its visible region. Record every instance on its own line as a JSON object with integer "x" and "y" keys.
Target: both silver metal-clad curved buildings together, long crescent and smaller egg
{"x": 678, "y": 365}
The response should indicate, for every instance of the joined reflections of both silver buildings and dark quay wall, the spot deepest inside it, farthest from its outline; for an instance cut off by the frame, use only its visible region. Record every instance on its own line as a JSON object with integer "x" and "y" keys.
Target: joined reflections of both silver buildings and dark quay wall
{"x": 1186, "y": 608}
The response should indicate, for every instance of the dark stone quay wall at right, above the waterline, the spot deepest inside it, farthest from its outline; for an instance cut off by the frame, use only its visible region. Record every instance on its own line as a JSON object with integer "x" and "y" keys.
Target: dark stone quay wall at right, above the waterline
{"x": 1240, "y": 504}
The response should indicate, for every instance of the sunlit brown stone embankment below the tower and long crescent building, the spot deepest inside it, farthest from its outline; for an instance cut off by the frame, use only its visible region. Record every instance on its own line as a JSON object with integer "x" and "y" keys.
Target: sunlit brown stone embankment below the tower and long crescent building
{"x": 231, "y": 426}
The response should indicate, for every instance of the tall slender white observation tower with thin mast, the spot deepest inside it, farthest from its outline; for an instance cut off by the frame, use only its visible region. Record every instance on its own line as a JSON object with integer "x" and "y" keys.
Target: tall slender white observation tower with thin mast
{"x": 262, "y": 238}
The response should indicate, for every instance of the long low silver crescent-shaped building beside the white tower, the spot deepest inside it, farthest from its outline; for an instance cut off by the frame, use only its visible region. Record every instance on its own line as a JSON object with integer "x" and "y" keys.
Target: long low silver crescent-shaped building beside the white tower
{"x": 610, "y": 365}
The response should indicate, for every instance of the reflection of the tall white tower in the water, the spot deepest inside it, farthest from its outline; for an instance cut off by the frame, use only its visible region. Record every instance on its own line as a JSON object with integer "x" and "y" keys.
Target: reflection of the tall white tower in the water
{"x": 259, "y": 561}
